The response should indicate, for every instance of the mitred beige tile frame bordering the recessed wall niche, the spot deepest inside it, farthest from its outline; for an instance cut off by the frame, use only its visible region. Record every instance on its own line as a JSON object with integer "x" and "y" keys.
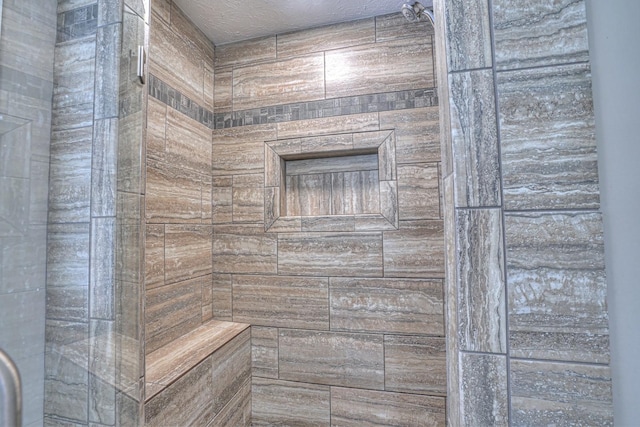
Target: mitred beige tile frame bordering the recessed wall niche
{"x": 278, "y": 152}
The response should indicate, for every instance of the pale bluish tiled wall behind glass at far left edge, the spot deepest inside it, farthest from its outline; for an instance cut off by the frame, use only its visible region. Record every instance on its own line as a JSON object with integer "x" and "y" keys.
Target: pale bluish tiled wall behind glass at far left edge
{"x": 26, "y": 85}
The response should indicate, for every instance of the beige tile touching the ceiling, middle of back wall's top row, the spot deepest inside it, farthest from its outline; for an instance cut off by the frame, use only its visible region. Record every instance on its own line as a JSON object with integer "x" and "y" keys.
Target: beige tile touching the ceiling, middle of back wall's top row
{"x": 326, "y": 38}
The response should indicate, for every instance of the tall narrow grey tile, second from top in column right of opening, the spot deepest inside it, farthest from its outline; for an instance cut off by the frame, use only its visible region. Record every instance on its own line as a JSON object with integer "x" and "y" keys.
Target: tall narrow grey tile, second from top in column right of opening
{"x": 474, "y": 139}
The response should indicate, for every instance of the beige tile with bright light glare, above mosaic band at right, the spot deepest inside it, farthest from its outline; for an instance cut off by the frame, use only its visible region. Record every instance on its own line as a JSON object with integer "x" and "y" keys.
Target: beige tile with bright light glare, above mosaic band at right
{"x": 390, "y": 66}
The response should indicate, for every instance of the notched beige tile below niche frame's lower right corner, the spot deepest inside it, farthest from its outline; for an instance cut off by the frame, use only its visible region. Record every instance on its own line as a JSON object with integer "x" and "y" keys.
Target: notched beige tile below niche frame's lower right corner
{"x": 416, "y": 250}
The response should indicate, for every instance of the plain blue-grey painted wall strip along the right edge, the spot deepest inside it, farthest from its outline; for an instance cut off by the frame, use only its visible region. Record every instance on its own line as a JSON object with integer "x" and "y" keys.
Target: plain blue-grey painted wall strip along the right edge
{"x": 616, "y": 93}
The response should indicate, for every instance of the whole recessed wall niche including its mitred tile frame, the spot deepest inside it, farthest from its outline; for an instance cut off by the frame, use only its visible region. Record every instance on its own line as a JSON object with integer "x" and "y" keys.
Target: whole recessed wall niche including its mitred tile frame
{"x": 342, "y": 182}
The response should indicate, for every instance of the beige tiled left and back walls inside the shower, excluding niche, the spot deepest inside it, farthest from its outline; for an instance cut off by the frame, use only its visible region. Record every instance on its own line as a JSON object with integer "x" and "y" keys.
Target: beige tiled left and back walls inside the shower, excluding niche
{"x": 364, "y": 294}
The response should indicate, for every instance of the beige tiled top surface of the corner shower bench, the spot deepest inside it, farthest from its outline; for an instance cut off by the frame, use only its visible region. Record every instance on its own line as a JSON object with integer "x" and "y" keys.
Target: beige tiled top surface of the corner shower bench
{"x": 170, "y": 362}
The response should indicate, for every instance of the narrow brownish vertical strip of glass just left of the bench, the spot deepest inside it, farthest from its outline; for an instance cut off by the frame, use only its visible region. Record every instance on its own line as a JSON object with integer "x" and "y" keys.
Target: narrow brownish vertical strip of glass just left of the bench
{"x": 130, "y": 212}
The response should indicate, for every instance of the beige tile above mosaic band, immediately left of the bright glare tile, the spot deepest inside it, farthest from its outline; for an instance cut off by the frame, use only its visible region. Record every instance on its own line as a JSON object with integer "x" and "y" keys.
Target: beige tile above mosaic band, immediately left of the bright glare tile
{"x": 282, "y": 82}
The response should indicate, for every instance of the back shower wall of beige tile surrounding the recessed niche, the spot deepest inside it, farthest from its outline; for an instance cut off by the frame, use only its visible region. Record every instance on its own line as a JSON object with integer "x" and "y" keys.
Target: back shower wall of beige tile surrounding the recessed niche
{"x": 346, "y": 312}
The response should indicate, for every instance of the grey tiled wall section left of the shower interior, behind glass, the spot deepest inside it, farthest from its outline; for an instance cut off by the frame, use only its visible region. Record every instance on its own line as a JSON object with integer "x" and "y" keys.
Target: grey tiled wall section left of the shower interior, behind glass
{"x": 91, "y": 370}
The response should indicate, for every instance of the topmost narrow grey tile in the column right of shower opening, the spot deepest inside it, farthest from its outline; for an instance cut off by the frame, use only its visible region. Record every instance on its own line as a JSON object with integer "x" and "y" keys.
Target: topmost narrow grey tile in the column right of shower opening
{"x": 469, "y": 35}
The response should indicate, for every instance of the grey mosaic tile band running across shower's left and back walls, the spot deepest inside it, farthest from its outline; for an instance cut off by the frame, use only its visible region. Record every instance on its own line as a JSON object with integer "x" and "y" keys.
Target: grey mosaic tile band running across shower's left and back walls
{"x": 389, "y": 101}
